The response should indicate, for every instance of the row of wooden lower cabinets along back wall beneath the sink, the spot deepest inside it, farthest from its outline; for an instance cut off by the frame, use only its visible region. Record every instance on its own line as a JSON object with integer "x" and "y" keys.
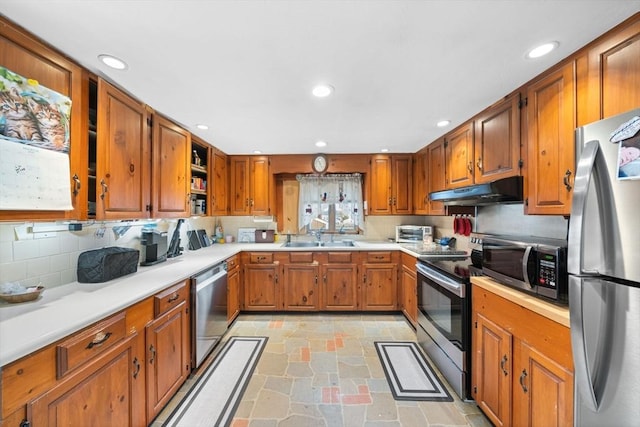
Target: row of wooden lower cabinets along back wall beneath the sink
{"x": 314, "y": 281}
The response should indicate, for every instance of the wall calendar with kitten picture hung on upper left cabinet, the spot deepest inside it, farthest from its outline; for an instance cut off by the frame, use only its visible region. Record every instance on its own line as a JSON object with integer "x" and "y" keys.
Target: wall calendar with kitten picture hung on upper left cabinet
{"x": 35, "y": 143}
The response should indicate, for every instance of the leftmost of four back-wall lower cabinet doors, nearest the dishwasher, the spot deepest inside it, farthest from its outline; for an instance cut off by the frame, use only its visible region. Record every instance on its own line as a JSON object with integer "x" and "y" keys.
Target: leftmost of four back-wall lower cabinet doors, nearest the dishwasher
{"x": 261, "y": 290}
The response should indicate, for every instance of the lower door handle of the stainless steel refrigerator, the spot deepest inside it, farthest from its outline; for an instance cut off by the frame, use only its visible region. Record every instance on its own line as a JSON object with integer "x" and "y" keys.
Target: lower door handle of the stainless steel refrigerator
{"x": 579, "y": 345}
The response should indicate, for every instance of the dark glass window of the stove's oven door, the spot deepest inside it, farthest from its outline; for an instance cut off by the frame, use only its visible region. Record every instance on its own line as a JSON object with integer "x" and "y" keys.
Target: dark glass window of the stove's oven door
{"x": 442, "y": 308}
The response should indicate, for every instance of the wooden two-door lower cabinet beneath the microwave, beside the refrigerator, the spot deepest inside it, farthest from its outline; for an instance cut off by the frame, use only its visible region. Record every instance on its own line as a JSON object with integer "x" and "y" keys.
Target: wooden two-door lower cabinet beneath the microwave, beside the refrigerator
{"x": 522, "y": 366}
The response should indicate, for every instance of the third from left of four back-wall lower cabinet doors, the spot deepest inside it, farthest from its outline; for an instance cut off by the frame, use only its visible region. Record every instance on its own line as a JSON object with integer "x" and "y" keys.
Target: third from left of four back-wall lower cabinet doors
{"x": 340, "y": 287}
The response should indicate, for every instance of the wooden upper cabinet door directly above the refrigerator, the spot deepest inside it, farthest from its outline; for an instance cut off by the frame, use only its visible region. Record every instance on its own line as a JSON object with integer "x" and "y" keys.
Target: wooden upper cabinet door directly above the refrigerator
{"x": 613, "y": 75}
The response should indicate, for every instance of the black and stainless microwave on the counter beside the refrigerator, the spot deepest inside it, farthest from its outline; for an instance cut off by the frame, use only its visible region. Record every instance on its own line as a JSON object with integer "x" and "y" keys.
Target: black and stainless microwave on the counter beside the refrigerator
{"x": 535, "y": 265}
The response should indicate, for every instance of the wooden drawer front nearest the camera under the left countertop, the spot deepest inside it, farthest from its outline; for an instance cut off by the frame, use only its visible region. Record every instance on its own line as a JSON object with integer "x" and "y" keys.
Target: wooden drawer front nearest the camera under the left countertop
{"x": 87, "y": 344}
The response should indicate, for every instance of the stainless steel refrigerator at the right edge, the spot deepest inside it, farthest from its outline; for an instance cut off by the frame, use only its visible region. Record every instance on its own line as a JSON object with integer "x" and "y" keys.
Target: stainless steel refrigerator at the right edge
{"x": 604, "y": 273}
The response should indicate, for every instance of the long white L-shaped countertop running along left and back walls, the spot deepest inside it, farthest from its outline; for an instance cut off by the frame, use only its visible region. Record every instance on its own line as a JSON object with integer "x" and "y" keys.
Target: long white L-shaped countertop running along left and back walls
{"x": 63, "y": 310}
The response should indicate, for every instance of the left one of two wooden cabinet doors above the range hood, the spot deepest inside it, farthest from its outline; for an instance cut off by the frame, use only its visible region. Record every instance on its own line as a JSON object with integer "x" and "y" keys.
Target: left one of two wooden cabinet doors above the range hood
{"x": 459, "y": 156}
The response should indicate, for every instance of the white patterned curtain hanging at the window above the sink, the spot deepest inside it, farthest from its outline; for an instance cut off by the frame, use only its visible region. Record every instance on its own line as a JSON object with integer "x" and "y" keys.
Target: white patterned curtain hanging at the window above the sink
{"x": 318, "y": 192}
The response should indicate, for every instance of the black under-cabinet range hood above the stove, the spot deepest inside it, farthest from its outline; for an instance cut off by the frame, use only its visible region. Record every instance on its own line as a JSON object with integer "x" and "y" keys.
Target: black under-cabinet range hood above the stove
{"x": 506, "y": 190}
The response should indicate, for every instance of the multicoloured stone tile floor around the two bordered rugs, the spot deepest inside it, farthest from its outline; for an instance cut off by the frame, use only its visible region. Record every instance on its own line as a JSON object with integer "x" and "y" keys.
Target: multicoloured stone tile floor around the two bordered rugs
{"x": 323, "y": 370}
